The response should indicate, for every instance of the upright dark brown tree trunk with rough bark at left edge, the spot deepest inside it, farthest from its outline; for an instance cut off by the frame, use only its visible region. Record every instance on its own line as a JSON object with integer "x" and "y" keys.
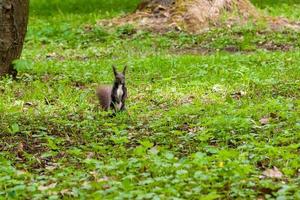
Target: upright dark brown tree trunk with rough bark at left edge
{"x": 13, "y": 26}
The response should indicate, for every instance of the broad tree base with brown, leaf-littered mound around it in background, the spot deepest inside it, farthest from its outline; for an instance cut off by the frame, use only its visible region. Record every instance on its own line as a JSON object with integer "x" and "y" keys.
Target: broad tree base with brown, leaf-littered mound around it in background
{"x": 196, "y": 16}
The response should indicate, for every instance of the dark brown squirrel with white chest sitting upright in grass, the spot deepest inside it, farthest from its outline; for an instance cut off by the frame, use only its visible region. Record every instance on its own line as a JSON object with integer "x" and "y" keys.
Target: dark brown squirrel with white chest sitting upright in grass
{"x": 113, "y": 97}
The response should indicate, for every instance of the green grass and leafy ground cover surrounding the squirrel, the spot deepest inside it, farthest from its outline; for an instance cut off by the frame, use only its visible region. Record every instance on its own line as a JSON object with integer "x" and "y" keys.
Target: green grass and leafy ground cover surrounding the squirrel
{"x": 207, "y": 114}
